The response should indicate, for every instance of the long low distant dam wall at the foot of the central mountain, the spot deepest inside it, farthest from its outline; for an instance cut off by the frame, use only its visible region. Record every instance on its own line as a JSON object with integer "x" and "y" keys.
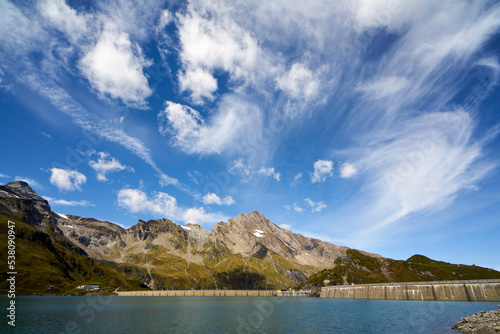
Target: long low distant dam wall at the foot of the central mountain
{"x": 229, "y": 293}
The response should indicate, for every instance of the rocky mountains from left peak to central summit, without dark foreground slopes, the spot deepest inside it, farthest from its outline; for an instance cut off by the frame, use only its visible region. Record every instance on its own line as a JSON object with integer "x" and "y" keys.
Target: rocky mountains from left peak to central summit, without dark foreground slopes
{"x": 247, "y": 251}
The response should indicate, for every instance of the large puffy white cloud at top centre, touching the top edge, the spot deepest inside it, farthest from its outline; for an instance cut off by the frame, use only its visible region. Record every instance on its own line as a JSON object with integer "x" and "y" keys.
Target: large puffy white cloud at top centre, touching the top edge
{"x": 211, "y": 40}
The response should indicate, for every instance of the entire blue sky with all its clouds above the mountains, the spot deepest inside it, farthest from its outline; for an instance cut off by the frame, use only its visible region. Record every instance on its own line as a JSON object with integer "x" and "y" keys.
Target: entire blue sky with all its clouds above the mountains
{"x": 370, "y": 124}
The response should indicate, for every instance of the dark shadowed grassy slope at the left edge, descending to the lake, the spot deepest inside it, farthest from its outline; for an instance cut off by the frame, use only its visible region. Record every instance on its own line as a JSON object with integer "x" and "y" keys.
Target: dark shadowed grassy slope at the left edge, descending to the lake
{"x": 42, "y": 263}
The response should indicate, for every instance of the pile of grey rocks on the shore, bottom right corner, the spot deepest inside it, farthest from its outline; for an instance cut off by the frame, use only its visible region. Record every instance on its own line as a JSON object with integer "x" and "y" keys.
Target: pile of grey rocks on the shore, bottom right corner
{"x": 481, "y": 322}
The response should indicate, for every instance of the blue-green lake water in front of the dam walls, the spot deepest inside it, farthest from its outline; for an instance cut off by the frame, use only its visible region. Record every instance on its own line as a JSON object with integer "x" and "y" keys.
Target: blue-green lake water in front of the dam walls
{"x": 234, "y": 315}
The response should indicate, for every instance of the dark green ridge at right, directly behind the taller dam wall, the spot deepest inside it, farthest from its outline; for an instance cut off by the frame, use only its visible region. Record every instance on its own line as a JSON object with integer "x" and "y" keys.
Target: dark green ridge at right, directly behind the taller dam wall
{"x": 358, "y": 268}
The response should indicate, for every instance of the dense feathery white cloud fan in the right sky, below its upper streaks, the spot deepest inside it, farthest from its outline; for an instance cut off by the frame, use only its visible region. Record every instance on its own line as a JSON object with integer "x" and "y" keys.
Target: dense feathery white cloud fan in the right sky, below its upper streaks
{"x": 423, "y": 166}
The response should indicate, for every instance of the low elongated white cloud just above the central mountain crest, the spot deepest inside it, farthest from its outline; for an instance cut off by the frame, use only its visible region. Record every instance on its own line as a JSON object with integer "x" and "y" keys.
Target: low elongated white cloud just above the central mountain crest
{"x": 162, "y": 205}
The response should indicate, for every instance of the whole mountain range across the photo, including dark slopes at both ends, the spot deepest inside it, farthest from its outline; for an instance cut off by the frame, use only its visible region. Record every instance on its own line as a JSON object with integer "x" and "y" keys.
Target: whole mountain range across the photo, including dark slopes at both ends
{"x": 58, "y": 252}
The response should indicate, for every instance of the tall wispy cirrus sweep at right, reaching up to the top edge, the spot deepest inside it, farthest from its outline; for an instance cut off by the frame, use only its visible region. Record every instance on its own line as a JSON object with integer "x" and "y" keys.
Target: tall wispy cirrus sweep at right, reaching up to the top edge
{"x": 415, "y": 157}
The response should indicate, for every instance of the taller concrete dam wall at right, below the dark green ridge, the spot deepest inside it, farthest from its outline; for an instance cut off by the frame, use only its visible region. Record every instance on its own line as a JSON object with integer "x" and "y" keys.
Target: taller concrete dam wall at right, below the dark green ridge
{"x": 480, "y": 290}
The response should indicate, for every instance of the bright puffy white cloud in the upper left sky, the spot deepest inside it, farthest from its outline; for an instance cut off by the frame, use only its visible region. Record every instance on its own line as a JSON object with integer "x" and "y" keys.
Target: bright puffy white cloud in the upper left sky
{"x": 114, "y": 68}
